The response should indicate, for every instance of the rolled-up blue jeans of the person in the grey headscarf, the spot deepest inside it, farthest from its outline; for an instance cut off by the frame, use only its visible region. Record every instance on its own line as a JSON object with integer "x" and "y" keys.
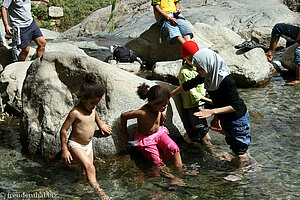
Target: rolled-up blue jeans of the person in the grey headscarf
{"x": 237, "y": 134}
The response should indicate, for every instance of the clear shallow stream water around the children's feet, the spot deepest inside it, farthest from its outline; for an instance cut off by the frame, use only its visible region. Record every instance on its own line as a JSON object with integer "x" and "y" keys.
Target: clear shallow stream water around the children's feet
{"x": 275, "y": 145}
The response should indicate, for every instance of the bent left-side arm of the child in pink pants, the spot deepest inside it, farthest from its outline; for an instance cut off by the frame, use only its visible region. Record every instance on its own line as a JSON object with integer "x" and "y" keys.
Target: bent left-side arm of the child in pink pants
{"x": 124, "y": 117}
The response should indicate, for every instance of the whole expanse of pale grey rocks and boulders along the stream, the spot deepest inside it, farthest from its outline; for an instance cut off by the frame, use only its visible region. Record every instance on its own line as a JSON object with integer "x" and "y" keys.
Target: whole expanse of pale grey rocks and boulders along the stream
{"x": 42, "y": 90}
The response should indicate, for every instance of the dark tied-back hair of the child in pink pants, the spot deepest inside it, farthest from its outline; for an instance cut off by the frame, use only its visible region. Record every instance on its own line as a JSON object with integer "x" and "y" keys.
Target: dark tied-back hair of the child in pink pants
{"x": 155, "y": 93}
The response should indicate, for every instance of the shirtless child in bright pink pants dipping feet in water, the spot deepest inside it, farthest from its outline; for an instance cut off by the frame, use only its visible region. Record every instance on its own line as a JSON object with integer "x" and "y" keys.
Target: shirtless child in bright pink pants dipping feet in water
{"x": 151, "y": 136}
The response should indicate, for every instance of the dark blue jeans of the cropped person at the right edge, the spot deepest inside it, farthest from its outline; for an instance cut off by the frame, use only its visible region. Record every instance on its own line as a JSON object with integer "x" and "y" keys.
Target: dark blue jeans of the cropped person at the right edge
{"x": 291, "y": 32}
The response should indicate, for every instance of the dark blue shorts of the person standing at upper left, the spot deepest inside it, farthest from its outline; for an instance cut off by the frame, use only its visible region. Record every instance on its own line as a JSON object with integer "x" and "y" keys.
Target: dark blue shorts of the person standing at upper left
{"x": 29, "y": 33}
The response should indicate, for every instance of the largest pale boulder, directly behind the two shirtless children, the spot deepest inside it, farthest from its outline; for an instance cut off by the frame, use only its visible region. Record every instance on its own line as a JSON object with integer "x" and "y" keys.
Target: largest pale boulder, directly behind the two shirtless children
{"x": 49, "y": 94}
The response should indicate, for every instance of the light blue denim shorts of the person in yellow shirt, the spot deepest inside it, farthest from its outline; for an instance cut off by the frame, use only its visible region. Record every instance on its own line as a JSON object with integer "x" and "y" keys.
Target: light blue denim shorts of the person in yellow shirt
{"x": 171, "y": 32}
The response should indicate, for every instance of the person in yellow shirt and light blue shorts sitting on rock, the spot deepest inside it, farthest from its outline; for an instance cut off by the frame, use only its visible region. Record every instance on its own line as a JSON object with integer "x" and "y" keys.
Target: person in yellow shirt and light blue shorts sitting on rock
{"x": 171, "y": 21}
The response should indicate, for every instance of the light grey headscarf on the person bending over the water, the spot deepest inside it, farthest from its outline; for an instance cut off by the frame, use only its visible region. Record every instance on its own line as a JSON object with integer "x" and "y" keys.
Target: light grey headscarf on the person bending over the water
{"x": 214, "y": 66}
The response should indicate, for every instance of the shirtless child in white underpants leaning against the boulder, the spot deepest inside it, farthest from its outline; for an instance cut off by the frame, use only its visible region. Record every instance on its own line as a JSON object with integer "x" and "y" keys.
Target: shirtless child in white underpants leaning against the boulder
{"x": 82, "y": 118}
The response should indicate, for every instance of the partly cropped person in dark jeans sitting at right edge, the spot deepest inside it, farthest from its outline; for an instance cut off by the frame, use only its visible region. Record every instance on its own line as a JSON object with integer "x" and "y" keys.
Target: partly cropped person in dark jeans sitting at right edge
{"x": 292, "y": 32}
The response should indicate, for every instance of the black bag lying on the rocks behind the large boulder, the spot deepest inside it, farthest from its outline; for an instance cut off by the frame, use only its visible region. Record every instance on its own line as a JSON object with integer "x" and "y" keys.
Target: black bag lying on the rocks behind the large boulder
{"x": 124, "y": 54}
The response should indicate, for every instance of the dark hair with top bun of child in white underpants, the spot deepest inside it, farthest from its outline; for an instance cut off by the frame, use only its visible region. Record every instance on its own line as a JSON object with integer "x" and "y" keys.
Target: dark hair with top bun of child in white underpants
{"x": 91, "y": 88}
